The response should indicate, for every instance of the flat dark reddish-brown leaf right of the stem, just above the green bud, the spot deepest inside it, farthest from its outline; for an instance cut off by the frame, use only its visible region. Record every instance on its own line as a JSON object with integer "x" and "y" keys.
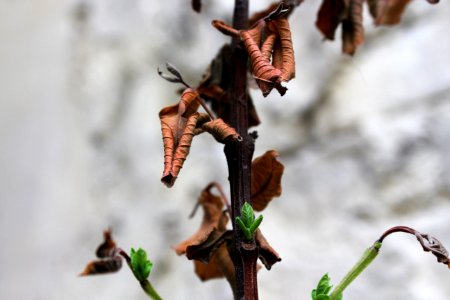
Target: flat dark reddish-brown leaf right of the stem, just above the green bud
{"x": 266, "y": 179}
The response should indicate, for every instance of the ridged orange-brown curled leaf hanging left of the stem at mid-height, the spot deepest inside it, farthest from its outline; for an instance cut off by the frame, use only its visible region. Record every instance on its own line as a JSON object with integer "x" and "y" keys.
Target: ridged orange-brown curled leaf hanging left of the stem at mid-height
{"x": 179, "y": 124}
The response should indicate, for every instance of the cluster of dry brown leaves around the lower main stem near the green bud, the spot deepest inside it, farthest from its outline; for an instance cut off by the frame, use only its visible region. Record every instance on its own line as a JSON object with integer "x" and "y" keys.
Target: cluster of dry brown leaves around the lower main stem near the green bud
{"x": 208, "y": 247}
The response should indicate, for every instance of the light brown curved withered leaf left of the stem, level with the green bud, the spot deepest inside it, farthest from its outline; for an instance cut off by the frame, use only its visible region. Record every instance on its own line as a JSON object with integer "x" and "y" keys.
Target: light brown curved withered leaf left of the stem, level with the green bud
{"x": 213, "y": 221}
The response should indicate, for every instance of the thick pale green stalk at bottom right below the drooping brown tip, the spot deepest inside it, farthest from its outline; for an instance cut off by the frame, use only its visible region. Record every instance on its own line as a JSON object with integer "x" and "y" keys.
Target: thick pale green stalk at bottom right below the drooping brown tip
{"x": 369, "y": 255}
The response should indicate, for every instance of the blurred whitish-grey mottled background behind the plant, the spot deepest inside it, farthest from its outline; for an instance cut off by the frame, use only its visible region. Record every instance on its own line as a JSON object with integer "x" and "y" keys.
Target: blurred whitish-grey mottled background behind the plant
{"x": 365, "y": 142}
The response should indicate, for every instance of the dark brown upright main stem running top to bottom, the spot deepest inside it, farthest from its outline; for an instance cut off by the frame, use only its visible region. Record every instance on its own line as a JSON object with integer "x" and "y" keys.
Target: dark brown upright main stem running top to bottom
{"x": 239, "y": 158}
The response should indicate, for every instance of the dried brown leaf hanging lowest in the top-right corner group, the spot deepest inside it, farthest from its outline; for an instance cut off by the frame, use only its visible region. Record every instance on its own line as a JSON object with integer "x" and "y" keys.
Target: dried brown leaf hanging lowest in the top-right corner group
{"x": 352, "y": 27}
